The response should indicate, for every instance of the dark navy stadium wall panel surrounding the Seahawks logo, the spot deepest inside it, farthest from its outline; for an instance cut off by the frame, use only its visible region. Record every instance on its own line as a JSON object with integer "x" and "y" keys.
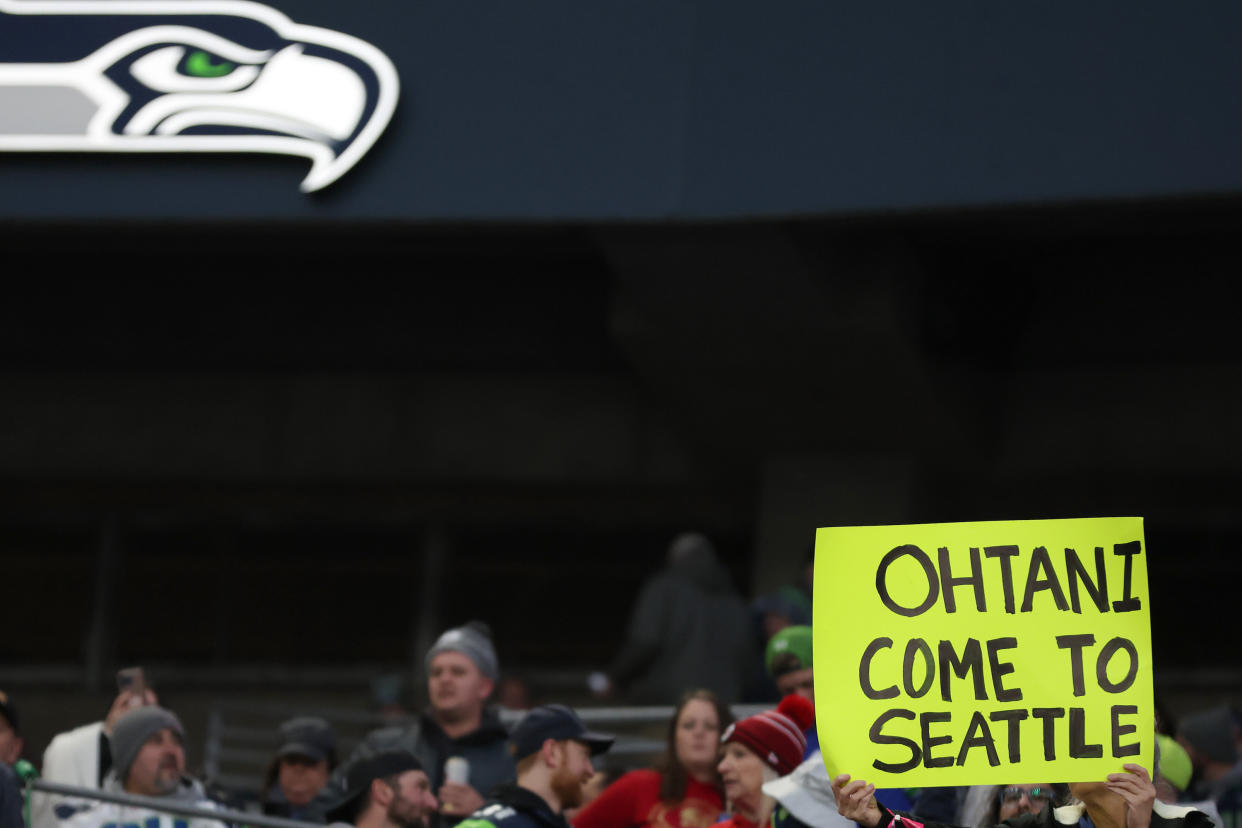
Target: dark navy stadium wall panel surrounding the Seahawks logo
{"x": 649, "y": 110}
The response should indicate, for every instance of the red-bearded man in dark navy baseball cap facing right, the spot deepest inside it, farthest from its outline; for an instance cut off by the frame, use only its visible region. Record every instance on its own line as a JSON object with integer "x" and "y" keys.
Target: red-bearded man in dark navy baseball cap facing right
{"x": 555, "y": 753}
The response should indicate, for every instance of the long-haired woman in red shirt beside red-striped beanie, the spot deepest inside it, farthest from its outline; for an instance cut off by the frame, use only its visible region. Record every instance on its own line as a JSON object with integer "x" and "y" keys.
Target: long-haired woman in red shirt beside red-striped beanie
{"x": 686, "y": 791}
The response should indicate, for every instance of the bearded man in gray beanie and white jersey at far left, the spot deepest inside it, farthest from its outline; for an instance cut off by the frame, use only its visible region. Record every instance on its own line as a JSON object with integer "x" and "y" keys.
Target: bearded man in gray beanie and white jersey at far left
{"x": 148, "y": 757}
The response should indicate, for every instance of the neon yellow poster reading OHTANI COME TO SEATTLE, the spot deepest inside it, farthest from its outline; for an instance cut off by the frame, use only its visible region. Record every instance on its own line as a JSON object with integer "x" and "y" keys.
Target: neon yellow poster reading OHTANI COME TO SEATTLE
{"x": 983, "y": 654}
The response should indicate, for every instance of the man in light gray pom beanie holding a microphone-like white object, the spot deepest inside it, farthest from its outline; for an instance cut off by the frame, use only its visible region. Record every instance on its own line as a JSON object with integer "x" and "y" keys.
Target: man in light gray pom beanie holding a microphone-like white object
{"x": 463, "y": 670}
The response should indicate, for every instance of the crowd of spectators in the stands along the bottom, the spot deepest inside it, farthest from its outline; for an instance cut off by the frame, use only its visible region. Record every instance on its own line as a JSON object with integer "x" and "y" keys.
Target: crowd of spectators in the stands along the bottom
{"x": 694, "y": 644}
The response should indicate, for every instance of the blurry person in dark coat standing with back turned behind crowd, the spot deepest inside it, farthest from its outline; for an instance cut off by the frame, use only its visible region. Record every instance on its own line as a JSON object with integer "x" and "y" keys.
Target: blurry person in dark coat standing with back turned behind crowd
{"x": 690, "y": 629}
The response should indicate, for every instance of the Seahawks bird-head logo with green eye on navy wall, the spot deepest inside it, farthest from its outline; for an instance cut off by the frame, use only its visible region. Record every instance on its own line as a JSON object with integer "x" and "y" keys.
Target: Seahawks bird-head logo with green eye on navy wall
{"x": 189, "y": 76}
